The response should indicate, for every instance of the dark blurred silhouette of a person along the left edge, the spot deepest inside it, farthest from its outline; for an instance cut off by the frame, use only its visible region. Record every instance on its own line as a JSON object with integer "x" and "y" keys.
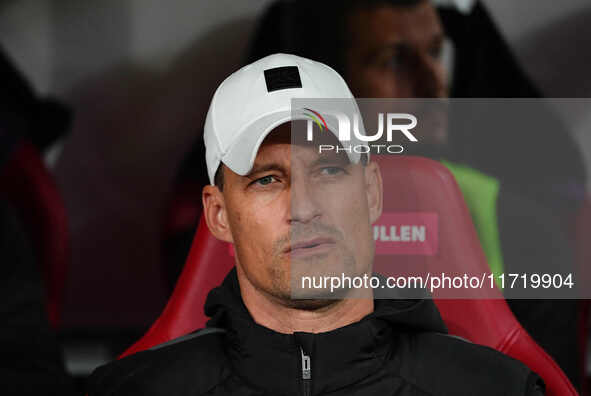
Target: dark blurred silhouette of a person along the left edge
{"x": 31, "y": 355}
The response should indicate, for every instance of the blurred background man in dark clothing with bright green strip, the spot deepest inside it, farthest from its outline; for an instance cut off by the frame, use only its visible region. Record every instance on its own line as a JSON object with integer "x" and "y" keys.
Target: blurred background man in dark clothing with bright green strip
{"x": 393, "y": 49}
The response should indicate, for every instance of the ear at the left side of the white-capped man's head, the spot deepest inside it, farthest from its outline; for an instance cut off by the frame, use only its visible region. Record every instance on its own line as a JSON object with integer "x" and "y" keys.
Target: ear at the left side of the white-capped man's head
{"x": 216, "y": 216}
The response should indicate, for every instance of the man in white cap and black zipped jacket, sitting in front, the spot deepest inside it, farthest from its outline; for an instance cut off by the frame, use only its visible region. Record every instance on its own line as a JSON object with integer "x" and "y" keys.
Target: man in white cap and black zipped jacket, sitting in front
{"x": 281, "y": 203}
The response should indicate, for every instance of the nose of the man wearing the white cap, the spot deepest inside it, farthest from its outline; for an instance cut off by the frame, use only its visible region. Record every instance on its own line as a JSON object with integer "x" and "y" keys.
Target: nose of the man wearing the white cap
{"x": 303, "y": 201}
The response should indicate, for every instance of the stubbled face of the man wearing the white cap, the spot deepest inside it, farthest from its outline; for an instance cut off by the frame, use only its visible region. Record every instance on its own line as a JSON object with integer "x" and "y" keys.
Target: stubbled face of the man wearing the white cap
{"x": 301, "y": 213}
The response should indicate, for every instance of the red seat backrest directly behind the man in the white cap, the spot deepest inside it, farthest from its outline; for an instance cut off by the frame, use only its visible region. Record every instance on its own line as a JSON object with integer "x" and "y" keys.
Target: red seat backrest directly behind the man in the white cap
{"x": 413, "y": 188}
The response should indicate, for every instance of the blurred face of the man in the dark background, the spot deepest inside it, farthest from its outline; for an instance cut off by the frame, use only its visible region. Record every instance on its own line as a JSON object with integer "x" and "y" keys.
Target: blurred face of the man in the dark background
{"x": 395, "y": 52}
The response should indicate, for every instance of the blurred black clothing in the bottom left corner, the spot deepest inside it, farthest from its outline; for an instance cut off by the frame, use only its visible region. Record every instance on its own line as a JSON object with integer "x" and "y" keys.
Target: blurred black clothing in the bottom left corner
{"x": 31, "y": 359}
